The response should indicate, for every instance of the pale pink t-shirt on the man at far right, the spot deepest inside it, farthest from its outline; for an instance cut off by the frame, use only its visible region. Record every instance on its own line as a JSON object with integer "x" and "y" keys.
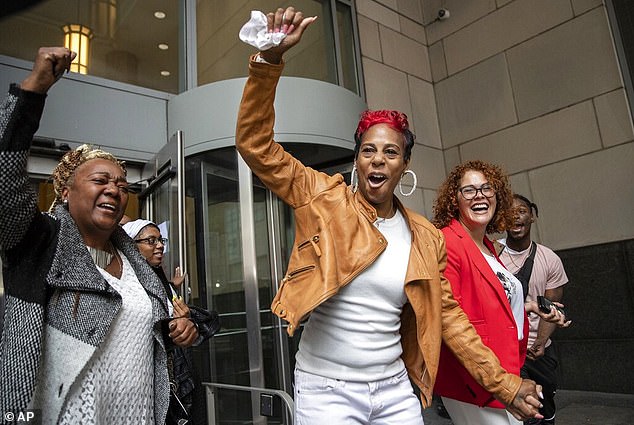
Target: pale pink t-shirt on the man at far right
{"x": 548, "y": 273}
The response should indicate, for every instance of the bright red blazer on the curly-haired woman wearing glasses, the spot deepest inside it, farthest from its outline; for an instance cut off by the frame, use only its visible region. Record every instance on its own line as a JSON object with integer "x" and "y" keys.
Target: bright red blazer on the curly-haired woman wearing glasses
{"x": 480, "y": 294}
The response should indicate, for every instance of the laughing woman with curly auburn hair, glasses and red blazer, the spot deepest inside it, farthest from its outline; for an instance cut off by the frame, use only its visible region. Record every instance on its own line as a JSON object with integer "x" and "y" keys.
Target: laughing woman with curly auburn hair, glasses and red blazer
{"x": 475, "y": 200}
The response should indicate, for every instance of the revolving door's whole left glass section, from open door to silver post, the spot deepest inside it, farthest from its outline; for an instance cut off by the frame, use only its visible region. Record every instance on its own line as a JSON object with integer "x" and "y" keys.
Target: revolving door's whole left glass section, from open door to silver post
{"x": 219, "y": 263}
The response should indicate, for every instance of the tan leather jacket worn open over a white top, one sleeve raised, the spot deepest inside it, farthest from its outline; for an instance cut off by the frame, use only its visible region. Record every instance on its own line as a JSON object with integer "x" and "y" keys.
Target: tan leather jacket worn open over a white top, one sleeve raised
{"x": 335, "y": 240}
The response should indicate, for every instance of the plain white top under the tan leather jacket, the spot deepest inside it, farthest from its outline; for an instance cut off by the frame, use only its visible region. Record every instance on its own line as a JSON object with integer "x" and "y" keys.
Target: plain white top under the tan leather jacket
{"x": 354, "y": 335}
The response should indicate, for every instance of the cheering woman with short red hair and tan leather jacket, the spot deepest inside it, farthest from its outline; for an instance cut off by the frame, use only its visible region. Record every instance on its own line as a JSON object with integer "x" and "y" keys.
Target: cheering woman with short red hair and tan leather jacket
{"x": 366, "y": 269}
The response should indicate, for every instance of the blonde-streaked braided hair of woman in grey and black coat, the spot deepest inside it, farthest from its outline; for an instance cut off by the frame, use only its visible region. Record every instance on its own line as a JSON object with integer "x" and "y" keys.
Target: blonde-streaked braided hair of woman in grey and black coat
{"x": 65, "y": 171}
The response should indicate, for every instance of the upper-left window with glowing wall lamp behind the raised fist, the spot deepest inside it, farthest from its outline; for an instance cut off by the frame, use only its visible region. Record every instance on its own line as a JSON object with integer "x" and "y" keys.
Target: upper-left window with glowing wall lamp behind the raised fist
{"x": 125, "y": 41}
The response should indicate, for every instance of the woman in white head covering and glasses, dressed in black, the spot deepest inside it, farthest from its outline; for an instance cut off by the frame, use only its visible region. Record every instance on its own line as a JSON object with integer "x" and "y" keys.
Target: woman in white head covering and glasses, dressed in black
{"x": 185, "y": 398}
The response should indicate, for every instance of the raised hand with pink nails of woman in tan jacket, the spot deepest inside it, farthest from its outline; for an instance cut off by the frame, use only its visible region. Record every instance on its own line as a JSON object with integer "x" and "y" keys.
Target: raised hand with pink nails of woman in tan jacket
{"x": 289, "y": 21}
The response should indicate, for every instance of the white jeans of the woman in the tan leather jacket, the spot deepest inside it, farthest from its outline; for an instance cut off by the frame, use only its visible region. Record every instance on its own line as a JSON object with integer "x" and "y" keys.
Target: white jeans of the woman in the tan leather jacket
{"x": 326, "y": 401}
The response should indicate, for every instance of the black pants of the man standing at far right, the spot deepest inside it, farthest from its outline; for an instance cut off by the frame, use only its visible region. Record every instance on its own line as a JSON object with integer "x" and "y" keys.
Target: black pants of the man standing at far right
{"x": 544, "y": 372}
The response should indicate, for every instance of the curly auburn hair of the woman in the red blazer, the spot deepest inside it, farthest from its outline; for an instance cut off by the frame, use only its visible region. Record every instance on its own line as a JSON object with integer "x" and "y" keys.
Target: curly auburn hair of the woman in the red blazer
{"x": 446, "y": 204}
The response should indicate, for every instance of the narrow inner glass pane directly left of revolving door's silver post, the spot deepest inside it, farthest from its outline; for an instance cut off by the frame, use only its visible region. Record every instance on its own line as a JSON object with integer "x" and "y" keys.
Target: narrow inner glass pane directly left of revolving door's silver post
{"x": 225, "y": 292}
